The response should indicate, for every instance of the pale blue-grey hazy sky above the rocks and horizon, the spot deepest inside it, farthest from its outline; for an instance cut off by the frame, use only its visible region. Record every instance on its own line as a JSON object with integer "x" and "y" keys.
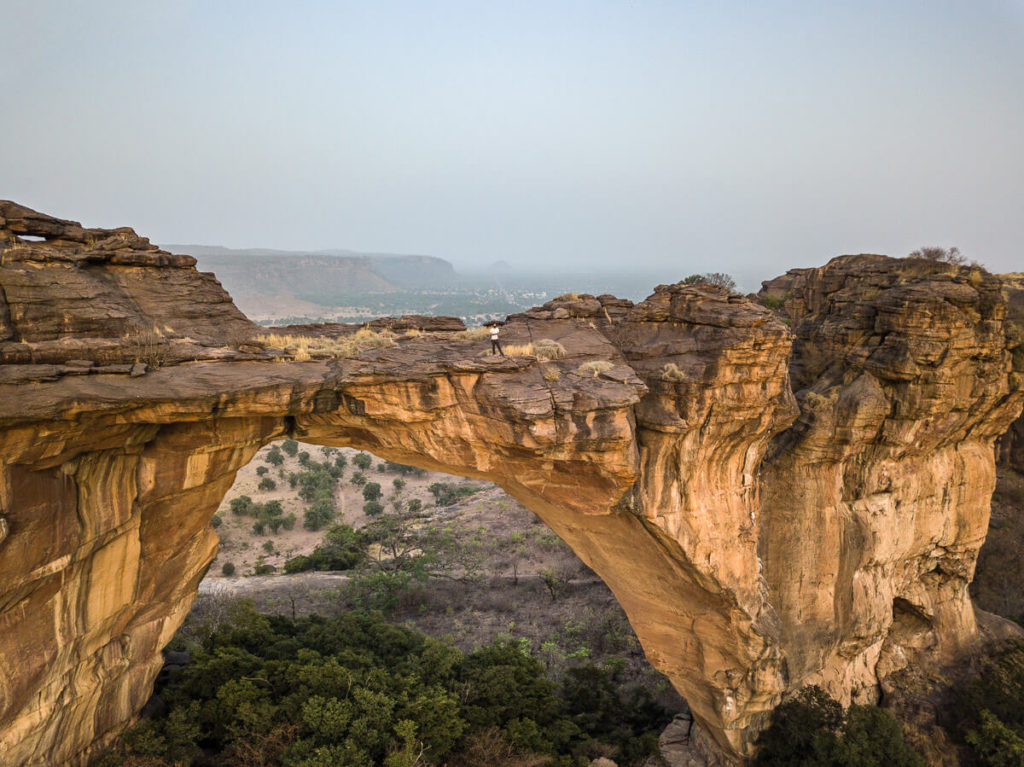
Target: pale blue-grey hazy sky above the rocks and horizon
{"x": 691, "y": 136}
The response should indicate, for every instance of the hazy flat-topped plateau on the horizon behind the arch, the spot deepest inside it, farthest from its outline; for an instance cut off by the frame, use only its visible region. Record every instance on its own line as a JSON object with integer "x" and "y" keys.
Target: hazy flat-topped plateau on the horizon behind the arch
{"x": 323, "y": 276}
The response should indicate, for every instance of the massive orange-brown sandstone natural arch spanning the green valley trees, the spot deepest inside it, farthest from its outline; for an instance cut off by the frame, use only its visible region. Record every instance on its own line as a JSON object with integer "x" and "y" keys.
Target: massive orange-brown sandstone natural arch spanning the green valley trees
{"x": 779, "y": 495}
